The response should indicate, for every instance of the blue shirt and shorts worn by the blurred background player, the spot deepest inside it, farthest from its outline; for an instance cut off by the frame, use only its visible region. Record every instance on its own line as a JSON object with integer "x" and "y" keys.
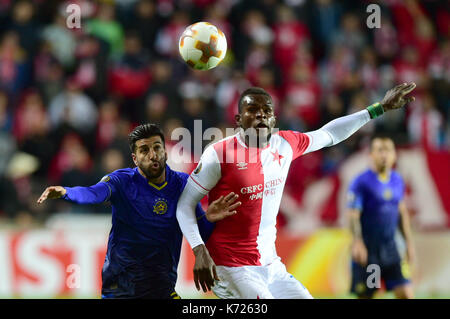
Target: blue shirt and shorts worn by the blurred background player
{"x": 378, "y": 202}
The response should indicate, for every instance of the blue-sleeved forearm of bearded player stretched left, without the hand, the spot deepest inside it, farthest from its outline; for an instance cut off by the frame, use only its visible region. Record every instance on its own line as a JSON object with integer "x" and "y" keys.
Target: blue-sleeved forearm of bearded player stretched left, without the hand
{"x": 95, "y": 194}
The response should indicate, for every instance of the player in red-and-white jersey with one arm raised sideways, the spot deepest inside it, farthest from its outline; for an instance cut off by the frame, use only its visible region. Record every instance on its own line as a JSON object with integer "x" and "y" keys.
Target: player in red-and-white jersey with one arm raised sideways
{"x": 254, "y": 164}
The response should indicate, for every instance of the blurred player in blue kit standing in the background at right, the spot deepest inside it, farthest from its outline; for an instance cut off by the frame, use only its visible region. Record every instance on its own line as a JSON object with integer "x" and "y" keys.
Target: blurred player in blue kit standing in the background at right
{"x": 380, "y": 226}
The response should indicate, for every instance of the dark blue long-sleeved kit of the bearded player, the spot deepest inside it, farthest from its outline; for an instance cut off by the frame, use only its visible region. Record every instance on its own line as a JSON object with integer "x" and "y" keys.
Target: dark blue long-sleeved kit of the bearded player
{"x": 145, "y": 240}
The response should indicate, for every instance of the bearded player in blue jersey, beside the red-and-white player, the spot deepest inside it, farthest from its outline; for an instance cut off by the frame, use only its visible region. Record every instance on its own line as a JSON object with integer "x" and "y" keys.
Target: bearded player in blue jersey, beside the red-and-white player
{"x": 145, "y": 239}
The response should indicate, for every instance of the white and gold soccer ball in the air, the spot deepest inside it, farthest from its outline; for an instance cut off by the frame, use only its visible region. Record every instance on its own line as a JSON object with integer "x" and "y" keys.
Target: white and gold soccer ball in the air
{"x": 202, "y": 46}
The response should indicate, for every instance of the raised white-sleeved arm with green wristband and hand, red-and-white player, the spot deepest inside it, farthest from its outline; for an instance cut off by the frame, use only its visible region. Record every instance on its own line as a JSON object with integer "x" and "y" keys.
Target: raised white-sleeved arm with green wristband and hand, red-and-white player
{"x": 343, "y": 127}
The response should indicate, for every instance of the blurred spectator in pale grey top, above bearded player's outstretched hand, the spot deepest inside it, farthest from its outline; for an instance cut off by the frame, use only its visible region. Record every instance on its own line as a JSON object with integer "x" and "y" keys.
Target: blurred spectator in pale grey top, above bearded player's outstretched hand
{"x": 74, "y": 108}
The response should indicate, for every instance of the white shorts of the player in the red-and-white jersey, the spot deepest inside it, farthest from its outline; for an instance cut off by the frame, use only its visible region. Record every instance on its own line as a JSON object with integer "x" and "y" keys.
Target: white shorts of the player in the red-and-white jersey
{"x": 258, "y": 282}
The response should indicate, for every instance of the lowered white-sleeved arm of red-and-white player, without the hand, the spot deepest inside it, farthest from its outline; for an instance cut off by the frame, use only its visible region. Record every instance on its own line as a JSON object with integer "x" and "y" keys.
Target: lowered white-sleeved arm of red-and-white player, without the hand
{"x": 186, "y": 215}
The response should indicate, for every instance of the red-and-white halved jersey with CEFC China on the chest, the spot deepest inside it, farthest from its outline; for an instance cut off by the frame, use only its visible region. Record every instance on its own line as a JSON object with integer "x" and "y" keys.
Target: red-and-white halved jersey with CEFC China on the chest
{"x": 258, "y": 176}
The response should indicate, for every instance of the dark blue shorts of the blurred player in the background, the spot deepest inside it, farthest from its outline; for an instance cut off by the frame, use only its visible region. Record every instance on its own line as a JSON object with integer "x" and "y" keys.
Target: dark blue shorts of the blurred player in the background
{"x": 393, "y": 276}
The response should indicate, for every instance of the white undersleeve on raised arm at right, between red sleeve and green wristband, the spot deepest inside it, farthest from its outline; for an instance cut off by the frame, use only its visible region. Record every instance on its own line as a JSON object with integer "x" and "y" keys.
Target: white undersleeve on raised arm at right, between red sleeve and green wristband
{"x": 337, "y": 130}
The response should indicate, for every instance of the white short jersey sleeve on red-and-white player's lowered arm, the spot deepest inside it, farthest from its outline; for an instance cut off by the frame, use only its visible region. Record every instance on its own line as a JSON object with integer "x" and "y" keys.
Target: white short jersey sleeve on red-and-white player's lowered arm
{"x": 207, "y": 173}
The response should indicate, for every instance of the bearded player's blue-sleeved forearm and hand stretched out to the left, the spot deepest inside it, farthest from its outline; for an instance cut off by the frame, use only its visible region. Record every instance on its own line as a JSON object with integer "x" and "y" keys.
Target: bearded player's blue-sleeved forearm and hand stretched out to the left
{"x": 95, "y": 194}
